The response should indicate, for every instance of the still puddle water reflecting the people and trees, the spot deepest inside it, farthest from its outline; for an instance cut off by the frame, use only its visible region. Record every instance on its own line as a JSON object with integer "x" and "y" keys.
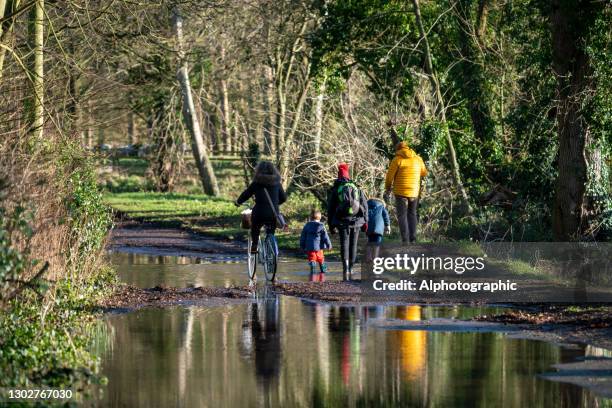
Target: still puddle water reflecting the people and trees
{"x": 282, "y": 351}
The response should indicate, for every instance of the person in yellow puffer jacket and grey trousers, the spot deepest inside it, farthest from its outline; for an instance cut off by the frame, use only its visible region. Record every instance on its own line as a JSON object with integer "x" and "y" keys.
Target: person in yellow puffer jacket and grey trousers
{"x": 404, "y": 176}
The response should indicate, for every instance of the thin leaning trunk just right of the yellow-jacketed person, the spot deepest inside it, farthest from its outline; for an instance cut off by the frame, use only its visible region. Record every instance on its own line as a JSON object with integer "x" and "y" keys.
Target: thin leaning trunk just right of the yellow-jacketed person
{"x": 441, "y": 110}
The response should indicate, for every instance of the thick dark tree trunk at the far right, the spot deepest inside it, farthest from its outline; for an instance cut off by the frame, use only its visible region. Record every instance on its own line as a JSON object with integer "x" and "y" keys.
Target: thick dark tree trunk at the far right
{"x": 570, "y": 22}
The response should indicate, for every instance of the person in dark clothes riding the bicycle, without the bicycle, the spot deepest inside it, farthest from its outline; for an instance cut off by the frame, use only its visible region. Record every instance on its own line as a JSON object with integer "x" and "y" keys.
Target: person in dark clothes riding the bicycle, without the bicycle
{"x": 266, "y": 178}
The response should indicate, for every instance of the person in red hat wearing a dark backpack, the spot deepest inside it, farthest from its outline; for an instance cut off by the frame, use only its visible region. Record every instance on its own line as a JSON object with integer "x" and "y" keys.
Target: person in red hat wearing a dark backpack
{"x": 347, "y": 213}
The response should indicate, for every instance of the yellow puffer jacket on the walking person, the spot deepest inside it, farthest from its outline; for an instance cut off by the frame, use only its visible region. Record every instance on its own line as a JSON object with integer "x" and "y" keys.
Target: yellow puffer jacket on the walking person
{"x": 405, "y": 173}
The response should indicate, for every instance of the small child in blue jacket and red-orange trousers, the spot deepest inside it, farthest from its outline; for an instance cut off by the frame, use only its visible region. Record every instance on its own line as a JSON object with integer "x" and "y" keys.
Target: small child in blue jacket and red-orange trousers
{"x": 314, "y": 240}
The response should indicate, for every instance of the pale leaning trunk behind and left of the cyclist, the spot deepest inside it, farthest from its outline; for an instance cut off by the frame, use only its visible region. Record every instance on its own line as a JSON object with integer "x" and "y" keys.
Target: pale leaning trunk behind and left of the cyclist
{"x": 200, "y": 153}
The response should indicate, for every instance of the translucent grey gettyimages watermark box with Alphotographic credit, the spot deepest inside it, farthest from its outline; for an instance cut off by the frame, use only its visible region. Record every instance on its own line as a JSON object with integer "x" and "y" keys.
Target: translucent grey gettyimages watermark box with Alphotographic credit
{"x": 489, "y": 272}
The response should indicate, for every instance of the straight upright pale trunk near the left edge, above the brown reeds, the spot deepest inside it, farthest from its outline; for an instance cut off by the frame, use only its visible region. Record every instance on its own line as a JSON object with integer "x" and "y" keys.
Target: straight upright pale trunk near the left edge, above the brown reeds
{"x": 37, "y": 74}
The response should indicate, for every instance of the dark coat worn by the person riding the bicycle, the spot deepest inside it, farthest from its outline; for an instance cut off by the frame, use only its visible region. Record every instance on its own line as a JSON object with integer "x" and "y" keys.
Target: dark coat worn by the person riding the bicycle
{"x": 262, "y": 210}
